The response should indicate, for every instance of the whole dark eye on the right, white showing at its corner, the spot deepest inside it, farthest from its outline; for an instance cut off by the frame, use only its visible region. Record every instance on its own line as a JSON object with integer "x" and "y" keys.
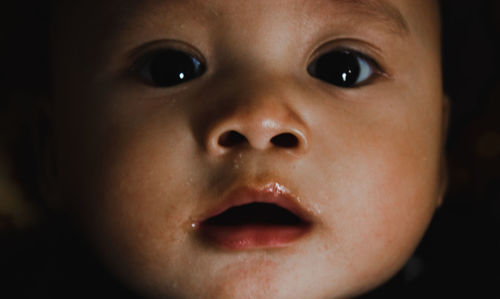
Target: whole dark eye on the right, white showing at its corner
{"x": 343, "y": 68}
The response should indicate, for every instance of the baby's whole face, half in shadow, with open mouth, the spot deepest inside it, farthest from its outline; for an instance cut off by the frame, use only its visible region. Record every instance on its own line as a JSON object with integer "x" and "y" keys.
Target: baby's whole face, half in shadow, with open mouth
{"x": 328, "y": 112}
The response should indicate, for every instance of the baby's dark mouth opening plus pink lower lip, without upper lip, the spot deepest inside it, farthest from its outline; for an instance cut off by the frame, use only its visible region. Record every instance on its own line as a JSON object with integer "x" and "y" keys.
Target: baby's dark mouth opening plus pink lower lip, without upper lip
{"x": 254, "y": 225}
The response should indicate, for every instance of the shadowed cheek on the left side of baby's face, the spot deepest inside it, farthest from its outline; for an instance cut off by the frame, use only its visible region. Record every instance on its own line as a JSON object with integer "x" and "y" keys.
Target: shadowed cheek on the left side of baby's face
{"x": 129, "y": 181}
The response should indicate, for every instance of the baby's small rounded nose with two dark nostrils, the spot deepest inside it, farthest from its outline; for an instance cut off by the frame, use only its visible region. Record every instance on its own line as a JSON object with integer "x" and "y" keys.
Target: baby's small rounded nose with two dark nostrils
{"x": 262, "y": 120}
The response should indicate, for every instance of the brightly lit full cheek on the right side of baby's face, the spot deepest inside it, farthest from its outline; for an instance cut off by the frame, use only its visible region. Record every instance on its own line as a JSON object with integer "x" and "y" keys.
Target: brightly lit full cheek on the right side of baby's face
{"x": 383, "y": 186}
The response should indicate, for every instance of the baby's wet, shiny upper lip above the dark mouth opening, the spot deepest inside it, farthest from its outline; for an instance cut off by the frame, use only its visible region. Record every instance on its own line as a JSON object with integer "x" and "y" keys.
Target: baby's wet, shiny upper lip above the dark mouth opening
{"x": 273, "y": 193}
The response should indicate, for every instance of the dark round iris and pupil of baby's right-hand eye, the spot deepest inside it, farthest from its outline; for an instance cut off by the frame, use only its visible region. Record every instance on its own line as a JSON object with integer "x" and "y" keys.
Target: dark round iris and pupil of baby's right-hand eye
{"x": 339, "y": 68}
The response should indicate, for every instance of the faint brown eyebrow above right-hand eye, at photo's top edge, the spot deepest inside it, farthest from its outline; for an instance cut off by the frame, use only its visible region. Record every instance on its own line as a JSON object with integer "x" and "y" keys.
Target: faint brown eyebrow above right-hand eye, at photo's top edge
{"x": 380, "y": 10}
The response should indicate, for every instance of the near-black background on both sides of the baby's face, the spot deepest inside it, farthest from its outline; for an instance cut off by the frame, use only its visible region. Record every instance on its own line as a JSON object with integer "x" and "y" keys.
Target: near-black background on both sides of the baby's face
{"x": 459, "y": 255}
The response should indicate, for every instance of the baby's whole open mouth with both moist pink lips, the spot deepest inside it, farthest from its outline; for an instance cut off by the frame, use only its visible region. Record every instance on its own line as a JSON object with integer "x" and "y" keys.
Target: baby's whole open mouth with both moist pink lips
{"x": 256, "y": 219}
